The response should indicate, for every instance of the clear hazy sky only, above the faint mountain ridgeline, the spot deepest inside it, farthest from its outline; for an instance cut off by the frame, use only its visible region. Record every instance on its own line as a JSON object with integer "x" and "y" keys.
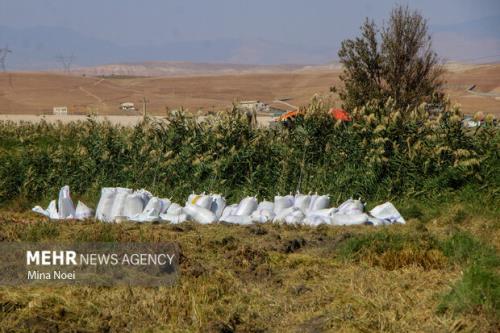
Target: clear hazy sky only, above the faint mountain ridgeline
{"x": 314, "y": 22}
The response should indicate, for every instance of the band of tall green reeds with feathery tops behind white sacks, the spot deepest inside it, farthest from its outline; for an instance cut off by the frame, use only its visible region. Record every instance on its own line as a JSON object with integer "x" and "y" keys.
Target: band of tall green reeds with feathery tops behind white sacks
{"x": 379, "y": 156}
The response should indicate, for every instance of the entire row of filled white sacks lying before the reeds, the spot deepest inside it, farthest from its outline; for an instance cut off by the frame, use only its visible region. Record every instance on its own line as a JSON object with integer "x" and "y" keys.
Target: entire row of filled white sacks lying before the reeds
{"x": 123, "y": 204}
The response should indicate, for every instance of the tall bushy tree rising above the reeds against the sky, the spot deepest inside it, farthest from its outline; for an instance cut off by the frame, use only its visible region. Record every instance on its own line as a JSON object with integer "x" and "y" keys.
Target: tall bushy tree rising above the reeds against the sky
{"x": 395, "y": 61}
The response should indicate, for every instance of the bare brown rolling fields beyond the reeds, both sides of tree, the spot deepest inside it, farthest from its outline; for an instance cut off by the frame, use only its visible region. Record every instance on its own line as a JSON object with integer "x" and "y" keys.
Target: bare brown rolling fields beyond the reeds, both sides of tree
{"x": 37, "y": 93}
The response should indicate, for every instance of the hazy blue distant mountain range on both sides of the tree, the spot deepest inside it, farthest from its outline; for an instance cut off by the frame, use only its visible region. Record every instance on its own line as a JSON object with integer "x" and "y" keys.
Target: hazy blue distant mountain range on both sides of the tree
{"x": 36, "y": 48}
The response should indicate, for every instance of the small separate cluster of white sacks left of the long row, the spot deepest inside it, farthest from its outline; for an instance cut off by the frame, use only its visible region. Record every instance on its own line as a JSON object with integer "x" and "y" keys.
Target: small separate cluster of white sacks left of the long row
{"x": 64, "y": 208}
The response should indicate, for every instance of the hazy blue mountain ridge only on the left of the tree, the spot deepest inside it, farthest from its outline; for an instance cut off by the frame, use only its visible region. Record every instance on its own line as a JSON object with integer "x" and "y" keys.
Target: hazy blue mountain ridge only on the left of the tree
{"x": 36, "y": 49}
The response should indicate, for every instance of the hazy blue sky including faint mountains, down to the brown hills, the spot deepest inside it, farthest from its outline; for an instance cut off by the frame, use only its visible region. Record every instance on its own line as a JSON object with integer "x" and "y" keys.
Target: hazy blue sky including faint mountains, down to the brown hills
{"x": 236, "y": 31}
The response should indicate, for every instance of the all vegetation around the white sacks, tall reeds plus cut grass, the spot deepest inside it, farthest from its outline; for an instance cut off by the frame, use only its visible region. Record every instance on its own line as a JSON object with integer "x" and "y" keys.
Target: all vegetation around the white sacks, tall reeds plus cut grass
{"x": 443, "y": 177}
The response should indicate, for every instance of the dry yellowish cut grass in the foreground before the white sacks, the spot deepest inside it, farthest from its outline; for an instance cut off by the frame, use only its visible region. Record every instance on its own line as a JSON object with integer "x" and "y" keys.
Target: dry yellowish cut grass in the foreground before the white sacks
{"x": 258, "y": 279}
